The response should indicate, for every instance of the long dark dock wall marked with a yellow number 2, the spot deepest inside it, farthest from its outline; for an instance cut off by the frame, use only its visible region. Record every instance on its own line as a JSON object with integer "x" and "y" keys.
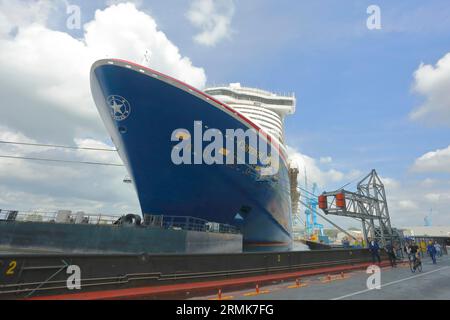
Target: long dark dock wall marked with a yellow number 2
{"x": 46, "y": 274}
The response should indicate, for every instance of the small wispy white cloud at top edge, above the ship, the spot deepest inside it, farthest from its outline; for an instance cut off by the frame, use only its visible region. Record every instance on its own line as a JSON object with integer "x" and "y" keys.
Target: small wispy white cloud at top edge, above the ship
{"x": 213, "y": 18}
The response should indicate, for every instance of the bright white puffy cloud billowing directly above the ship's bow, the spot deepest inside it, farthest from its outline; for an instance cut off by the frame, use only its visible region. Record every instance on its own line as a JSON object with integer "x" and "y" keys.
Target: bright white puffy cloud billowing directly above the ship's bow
{"x": 123, "y": 31}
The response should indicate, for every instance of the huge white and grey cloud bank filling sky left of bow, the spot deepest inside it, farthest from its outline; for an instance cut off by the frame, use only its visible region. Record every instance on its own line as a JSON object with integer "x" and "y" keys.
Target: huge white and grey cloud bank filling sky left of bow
{"x": 44, "y": 85}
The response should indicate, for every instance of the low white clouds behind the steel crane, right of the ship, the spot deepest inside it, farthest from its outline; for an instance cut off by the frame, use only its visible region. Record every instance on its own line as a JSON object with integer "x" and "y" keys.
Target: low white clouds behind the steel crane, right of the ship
{"x": 408, "y": 202}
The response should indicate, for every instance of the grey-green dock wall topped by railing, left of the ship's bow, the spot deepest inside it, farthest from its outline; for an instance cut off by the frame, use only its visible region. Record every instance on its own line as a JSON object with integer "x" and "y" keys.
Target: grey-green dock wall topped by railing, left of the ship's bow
{"x": 82, "y": 238}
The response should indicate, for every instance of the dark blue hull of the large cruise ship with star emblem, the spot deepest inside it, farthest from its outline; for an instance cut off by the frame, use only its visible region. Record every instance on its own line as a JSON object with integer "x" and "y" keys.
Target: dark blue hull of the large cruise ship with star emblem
{"x": 156, "y": 105}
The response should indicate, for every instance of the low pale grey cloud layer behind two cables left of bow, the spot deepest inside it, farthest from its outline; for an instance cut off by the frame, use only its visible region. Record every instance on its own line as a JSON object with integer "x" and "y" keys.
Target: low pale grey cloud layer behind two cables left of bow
{"x": 27, "y": 184}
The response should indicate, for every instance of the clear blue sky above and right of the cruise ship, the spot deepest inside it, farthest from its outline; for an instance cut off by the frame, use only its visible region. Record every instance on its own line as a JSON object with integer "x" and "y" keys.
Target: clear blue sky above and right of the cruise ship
{"x": 354, "y": 86}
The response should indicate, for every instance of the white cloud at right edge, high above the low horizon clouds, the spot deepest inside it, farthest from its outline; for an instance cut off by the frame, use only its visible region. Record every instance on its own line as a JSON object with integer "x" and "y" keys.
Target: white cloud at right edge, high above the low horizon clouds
{"x": 433, "y": 82}
